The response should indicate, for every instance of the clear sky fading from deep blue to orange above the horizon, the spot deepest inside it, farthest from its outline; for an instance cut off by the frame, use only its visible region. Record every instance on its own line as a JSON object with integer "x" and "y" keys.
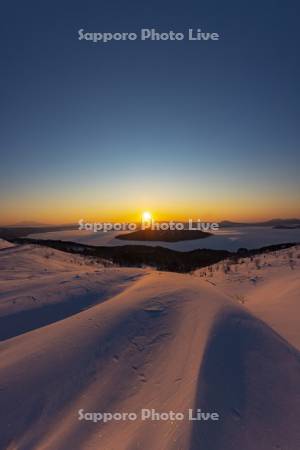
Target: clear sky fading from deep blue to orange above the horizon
{"x": 184, "y": 129}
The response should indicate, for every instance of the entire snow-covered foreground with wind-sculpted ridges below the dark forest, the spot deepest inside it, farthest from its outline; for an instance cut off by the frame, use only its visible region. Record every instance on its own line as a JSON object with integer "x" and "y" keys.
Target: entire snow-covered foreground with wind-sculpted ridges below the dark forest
{"x": 80, "y": 337}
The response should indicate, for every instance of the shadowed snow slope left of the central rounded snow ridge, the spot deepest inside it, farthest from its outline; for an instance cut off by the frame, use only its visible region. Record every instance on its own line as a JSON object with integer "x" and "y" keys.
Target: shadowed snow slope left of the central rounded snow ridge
{"x": 41, "y": 285}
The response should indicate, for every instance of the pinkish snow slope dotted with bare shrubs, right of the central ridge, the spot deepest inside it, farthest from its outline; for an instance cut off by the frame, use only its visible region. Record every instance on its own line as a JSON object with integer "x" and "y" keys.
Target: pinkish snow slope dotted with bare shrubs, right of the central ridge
{"x": 268, "y": 285}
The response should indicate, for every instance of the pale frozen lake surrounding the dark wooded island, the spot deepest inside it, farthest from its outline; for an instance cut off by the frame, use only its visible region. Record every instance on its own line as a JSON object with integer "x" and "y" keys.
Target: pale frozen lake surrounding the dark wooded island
{"x": 225, "y": 239}
